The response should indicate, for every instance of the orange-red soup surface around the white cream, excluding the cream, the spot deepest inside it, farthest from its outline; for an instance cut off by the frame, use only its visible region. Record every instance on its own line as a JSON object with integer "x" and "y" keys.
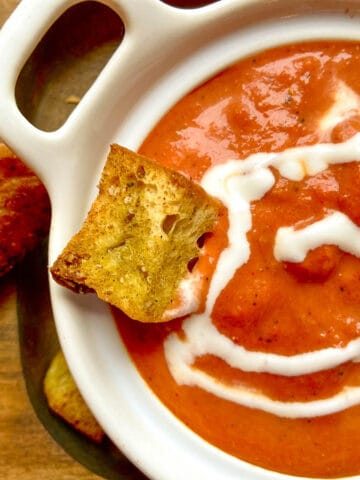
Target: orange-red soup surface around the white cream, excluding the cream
{"x": 268, "y": 103}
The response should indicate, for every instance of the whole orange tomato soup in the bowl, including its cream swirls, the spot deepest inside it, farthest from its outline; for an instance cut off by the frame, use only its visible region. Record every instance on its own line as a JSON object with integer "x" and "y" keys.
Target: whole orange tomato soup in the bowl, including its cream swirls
{"x": 267, "y": 370}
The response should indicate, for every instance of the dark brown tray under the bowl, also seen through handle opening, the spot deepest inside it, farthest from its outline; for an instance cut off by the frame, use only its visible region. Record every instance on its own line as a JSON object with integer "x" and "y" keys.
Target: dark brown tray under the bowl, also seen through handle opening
{"x": 56, "y": 76}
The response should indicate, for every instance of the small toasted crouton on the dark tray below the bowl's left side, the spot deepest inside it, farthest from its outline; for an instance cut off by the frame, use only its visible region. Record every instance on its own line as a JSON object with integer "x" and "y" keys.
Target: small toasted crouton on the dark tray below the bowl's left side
{"x": 65, "y": 400}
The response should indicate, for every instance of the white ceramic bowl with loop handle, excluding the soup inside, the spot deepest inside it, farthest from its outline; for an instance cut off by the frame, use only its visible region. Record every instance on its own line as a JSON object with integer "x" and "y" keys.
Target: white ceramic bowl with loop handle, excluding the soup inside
{"x": 164, "y": 54}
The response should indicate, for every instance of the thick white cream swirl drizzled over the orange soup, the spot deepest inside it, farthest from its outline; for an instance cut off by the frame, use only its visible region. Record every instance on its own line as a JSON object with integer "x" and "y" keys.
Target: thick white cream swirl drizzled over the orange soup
{"x": 237, "y": 183}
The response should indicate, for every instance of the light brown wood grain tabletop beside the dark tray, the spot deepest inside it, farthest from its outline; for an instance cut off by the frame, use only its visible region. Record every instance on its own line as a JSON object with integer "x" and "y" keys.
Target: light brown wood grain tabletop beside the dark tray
{"x": 27, "y": 451}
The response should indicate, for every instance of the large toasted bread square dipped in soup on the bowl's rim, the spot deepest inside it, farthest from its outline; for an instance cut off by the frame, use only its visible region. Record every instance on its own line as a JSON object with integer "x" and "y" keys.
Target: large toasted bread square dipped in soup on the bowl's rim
{"x": 135, "y": 245}
